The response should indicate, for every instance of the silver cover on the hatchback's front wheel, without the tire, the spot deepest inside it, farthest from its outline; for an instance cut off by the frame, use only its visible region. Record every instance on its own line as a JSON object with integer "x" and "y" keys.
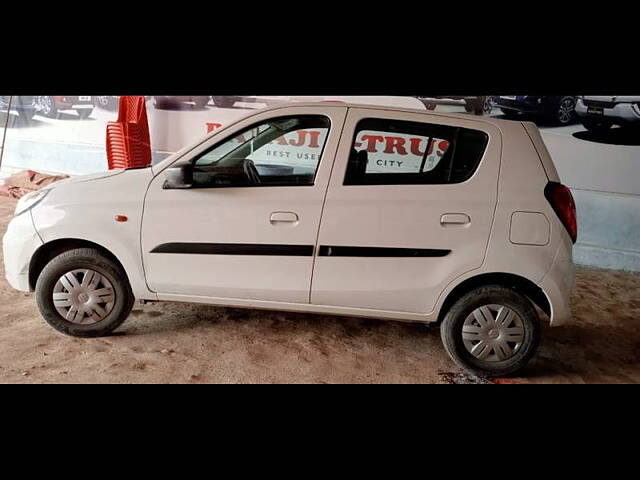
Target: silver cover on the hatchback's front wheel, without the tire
{"x": 83, "y": 297}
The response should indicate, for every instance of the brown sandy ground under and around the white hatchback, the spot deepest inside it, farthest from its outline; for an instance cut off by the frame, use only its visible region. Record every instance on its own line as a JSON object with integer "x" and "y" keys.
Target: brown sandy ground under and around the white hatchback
{"x": 195, "y": 344}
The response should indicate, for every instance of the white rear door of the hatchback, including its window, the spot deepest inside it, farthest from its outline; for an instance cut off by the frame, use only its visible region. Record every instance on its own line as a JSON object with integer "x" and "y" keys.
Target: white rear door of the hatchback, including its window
{"x": 409, "y": 208}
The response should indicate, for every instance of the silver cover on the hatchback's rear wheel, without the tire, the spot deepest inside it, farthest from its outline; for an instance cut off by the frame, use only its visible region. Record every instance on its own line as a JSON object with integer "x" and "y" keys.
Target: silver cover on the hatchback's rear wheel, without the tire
{"x": 493, "y": 333}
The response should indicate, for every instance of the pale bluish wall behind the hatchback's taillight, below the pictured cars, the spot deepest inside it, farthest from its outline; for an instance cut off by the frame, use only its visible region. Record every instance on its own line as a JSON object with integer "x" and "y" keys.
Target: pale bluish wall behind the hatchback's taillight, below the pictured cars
{"x": 605, "y": 180}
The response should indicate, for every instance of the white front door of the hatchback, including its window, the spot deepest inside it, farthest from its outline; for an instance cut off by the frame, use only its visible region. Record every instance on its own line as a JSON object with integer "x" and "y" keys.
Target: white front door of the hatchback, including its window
{"x": 248, "y": 227}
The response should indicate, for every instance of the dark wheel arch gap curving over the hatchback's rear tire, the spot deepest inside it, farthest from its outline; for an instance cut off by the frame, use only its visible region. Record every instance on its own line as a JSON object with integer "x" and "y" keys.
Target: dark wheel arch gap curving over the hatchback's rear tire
{"x": 518, "y": 283}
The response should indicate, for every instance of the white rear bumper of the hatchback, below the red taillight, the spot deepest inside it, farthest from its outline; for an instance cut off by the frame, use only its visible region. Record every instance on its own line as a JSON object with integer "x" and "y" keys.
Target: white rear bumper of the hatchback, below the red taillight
{"x": 558, "y": 284}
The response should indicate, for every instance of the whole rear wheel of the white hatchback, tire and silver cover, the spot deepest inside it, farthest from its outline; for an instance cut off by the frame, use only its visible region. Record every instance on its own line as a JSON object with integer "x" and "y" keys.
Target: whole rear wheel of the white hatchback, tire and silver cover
{"x": 491, "y": 331}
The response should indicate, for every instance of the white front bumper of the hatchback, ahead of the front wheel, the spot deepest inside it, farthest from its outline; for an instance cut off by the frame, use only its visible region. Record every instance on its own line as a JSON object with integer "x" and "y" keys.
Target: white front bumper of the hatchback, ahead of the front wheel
{"x": 19, "y": 244}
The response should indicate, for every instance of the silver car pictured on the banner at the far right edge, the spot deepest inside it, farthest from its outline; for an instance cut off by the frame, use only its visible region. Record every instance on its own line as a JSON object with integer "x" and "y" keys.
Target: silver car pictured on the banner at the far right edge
{"x": 602, "y": 112}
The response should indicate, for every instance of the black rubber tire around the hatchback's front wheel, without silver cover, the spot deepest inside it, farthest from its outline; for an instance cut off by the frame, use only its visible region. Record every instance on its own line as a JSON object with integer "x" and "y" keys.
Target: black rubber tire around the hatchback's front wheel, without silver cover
{"x": 78, "y": 259}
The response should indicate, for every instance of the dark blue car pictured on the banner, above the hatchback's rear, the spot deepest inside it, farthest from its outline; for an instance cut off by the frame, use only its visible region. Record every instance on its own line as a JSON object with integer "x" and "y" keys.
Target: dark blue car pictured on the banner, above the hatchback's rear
{"x": 558, "y": 110}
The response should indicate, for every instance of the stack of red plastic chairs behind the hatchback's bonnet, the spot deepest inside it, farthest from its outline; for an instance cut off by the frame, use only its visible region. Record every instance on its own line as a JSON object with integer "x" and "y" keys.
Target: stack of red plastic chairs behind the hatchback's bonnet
{"x": 128, "y": 142}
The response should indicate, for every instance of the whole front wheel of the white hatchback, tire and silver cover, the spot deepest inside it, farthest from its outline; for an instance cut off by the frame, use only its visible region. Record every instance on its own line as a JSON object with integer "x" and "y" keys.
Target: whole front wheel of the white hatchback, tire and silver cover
{"x": 83, "y": 293}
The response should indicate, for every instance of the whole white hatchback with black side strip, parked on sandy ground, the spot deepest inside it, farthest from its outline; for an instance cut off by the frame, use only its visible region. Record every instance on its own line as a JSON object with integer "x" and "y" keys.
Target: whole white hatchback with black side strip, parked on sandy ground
{"x": 331, "y": 208}
